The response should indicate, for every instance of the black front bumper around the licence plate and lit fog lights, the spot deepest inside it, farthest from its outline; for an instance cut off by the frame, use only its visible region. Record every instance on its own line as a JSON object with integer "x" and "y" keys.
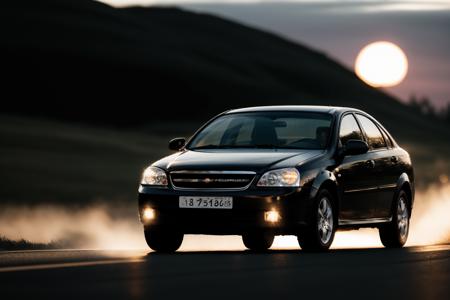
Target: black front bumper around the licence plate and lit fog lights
{"x": 246, "y": 215}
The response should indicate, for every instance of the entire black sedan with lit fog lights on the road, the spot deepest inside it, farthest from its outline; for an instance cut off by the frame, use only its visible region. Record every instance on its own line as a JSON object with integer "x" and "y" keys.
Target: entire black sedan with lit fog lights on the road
{"x": 280, "y": 170}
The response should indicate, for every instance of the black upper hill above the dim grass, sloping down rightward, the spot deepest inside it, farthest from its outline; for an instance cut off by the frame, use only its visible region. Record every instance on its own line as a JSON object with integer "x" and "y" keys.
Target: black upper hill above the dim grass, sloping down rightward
{"x": 86, "y": 61}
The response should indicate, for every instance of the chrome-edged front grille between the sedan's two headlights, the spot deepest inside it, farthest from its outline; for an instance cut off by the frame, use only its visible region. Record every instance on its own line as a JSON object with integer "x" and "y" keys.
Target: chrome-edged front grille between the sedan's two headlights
{"x": 211, "y": 179}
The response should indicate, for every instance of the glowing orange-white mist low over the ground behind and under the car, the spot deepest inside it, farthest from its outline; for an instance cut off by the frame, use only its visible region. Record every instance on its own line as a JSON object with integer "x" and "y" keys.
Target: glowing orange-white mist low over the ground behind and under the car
{"x": 97, "y": 227}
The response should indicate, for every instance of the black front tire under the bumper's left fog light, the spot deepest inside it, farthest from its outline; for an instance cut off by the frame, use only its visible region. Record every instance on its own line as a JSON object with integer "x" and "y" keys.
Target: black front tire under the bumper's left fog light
{"x": 163, "y": 240}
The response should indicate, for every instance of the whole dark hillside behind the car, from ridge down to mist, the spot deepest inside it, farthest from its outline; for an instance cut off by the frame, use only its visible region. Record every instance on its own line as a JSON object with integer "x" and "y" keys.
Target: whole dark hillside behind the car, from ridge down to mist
{"x": 97, "y": 91}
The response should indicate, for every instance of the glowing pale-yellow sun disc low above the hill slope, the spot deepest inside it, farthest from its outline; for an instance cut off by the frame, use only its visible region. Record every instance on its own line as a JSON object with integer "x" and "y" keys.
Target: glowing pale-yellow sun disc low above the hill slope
{"x": 381, "y": 64}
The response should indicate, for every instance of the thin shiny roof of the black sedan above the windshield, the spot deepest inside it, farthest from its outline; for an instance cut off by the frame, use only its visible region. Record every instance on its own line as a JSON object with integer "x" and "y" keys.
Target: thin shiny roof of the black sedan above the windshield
{"x": 305, "y": 108}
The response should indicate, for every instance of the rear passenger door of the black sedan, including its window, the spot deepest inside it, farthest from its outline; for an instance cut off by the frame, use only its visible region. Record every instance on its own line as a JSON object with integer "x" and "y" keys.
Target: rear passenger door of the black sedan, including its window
{"x": 382, "y": 158}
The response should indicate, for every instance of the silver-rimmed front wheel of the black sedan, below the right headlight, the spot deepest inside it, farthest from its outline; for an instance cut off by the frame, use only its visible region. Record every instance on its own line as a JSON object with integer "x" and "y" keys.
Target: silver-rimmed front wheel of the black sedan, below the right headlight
{"x": 319, "y": 233}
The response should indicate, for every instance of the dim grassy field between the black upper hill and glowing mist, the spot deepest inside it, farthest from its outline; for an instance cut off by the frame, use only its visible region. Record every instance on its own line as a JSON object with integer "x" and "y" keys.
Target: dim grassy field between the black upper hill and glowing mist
{"x": 52, "y": 162}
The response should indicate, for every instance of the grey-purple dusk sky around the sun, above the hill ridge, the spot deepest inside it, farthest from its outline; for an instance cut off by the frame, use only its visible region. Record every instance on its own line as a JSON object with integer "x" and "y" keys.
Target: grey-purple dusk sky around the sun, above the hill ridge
{"x": 341, "y": 28}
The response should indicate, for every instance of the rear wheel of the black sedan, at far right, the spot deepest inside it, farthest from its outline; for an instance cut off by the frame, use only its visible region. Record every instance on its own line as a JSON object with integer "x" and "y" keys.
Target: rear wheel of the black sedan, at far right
{"x": 395, "y": 233}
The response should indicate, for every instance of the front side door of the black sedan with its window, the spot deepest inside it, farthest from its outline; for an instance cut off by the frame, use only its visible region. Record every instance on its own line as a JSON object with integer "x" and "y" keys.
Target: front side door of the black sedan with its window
{"x": 355, "y": 177}
